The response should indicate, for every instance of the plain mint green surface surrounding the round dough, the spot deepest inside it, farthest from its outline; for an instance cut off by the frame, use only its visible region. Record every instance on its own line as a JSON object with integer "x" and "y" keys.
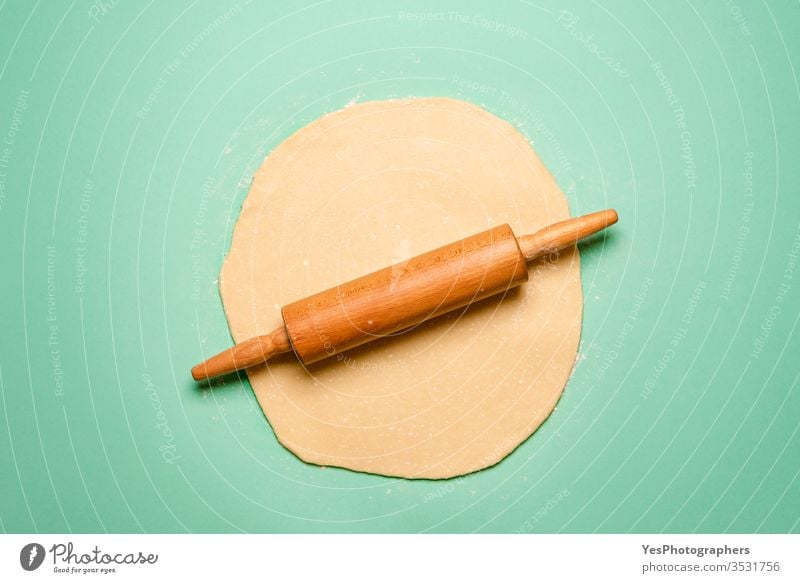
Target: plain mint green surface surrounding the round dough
{"x": 713, "y": 446}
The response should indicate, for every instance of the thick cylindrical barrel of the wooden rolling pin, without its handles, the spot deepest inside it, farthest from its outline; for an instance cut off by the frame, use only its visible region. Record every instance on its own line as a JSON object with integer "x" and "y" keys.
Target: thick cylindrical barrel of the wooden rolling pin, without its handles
{"x": 401, "y": 296}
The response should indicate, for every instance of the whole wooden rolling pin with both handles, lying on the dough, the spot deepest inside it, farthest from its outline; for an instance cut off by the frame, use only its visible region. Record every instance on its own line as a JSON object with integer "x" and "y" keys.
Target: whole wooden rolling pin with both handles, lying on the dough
{"x": 403, "y": 295}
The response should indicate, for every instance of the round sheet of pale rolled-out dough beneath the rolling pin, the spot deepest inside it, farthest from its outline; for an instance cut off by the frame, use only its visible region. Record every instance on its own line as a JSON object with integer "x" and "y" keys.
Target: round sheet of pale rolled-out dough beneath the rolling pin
{"x": 372, "y": 185}
